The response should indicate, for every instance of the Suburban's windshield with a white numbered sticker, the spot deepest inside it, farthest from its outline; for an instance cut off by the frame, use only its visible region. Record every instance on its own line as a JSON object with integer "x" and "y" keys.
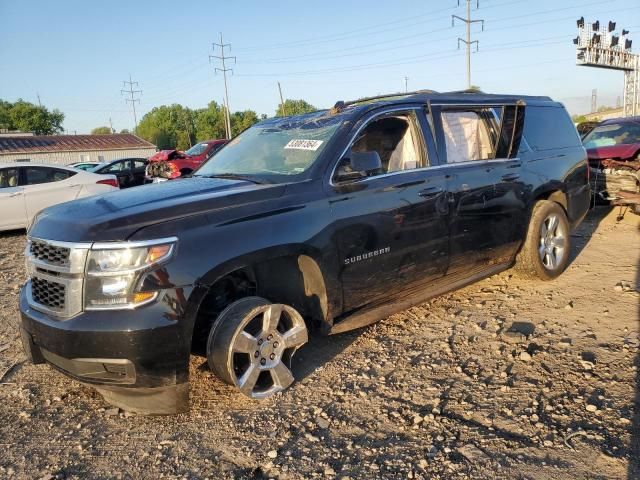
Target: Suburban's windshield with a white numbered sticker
{"x": 280, "y": 146}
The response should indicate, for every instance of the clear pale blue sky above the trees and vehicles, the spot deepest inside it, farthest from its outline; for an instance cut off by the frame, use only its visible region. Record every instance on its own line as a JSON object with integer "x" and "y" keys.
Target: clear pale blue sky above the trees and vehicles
{"x": 75, "y": 54}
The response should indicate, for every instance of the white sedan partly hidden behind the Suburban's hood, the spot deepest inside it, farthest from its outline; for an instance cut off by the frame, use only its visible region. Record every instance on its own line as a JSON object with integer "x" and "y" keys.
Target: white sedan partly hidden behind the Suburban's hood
{"x": 25, "y": 189}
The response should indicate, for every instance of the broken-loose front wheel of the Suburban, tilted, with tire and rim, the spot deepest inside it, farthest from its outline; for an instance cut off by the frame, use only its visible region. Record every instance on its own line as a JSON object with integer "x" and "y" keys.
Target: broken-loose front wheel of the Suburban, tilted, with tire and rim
{"x": 251, "y": 345}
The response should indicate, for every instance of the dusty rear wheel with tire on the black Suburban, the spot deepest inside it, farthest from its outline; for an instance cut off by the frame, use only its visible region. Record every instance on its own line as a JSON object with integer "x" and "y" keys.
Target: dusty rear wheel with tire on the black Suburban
{"x": 545, "y": 252}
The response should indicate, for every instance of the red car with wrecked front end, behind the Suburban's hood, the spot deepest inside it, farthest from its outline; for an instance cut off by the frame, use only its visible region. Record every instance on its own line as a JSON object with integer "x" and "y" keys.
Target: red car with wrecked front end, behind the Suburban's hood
{"x": 170, "y": 164}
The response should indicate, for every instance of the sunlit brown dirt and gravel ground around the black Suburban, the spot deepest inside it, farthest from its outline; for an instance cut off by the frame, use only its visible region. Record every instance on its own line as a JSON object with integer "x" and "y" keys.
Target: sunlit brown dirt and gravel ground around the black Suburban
{"x": 503, "y": 379}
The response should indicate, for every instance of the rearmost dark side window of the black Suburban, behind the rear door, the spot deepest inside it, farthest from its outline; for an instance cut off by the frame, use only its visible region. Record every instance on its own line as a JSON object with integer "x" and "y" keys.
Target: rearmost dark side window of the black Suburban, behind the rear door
{"x": 547, "y": 128}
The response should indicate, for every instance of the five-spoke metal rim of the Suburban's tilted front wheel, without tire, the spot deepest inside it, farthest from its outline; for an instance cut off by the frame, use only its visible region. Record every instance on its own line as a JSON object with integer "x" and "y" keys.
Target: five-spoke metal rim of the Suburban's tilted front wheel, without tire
{"x": 262, "y": 348}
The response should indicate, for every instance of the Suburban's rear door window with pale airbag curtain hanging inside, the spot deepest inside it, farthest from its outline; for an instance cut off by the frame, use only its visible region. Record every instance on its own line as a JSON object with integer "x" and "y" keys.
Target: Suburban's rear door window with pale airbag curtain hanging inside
{"x": 469, "y": 134}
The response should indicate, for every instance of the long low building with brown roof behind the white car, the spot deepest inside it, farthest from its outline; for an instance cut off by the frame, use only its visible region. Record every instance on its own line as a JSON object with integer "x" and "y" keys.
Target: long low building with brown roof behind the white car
{"x": 66, "y": 149}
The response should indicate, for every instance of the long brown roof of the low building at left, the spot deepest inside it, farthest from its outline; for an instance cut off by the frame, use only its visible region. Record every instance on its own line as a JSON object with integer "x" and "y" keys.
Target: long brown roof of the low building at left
{"x": 71, "y": 143}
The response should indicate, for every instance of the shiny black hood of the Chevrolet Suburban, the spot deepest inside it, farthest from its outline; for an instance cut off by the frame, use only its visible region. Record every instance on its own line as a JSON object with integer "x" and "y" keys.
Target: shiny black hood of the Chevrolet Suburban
{"x": 118, "y": 215}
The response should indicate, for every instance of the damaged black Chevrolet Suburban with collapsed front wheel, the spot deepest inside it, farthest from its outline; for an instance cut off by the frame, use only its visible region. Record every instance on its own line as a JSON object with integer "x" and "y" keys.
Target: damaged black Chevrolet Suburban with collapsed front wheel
{"x": 327, "y": 221}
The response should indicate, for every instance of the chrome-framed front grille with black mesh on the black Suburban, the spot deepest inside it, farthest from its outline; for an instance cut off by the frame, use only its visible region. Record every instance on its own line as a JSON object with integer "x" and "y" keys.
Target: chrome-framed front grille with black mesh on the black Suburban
{"x": 56, "y": 276}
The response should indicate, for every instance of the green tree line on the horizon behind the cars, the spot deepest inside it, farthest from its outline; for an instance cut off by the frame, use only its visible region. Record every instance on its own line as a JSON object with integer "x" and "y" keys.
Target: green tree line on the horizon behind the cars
{"x": 167, "y": 126}
